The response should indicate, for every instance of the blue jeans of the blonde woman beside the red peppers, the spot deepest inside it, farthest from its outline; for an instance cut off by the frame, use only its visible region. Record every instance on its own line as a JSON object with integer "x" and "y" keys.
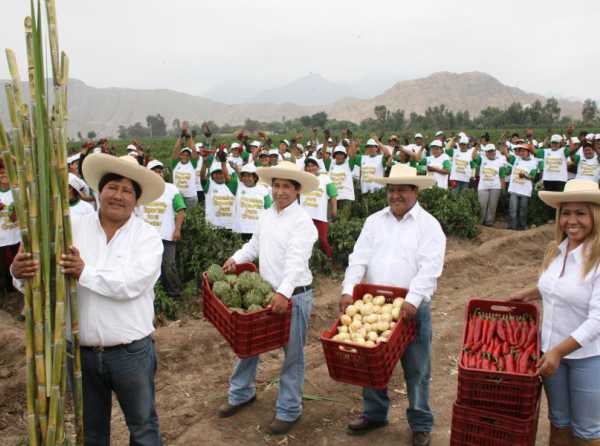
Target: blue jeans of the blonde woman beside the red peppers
{"x": 574, "y": 396}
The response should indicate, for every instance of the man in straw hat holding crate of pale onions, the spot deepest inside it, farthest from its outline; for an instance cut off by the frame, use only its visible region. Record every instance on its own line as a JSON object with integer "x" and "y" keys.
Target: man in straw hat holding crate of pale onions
{"x": 403, "y": 246}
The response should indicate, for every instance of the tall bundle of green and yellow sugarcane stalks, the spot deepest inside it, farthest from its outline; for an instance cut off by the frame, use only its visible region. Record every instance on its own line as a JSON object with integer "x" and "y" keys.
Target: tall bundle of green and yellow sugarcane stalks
{"x": 35, "y": 159}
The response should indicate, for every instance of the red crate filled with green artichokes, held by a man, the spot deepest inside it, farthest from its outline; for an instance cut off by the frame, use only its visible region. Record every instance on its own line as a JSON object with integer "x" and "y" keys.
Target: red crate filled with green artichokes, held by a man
{"x": 239, "y": 306}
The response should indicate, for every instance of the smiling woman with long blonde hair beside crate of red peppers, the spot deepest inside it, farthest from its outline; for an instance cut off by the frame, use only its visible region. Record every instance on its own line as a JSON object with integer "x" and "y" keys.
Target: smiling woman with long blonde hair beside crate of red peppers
{"x": 569, "y": 288}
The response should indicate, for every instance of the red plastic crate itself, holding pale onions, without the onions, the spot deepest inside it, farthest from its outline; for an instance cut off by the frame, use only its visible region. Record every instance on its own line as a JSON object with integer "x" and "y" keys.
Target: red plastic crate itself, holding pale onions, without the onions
{"x": 368, "y": 366}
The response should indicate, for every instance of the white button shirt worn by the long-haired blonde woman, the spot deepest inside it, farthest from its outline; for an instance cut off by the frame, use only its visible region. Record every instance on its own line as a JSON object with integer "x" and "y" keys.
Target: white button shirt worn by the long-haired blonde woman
{"x": 571, "y": 304}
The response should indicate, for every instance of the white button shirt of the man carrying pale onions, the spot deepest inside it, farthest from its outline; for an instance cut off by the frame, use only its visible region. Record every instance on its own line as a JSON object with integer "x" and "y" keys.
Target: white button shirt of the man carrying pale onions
{"x": 406, "y": 253}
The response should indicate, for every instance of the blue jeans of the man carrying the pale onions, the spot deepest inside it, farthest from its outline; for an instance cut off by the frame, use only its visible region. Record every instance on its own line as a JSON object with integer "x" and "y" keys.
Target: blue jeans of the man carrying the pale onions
{"x": 416, "y": 364}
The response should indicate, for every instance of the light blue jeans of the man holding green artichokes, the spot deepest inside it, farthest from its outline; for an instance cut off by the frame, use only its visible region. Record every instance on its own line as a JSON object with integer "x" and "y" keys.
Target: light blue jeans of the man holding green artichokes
{"x": 242, "y": 385}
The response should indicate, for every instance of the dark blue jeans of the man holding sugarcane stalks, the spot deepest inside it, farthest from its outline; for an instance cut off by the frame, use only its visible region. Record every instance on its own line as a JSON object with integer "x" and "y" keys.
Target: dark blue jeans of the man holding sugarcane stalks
{"x": 129, "y": 372}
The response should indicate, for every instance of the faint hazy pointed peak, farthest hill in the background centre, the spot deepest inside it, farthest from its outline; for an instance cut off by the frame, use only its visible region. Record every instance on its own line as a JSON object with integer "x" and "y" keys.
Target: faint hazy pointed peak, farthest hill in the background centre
{"x": 312, "y": 89}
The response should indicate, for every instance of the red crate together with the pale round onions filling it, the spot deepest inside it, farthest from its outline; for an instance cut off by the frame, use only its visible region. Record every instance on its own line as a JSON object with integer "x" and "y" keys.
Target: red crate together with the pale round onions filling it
{"x": 367, "y": 341}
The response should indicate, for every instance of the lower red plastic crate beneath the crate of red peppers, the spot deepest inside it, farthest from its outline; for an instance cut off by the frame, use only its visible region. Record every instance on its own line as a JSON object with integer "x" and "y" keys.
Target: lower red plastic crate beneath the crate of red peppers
{"x": 474, "y": 427}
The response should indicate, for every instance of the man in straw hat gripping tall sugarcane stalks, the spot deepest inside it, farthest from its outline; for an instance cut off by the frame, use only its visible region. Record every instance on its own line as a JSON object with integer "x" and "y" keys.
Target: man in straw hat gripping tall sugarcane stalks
{"x": 116, "y": 260}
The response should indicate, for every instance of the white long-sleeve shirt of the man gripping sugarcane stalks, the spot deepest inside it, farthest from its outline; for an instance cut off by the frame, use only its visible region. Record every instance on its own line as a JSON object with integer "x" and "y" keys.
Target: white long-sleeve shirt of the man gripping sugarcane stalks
{"x": 116, "y": 288}
